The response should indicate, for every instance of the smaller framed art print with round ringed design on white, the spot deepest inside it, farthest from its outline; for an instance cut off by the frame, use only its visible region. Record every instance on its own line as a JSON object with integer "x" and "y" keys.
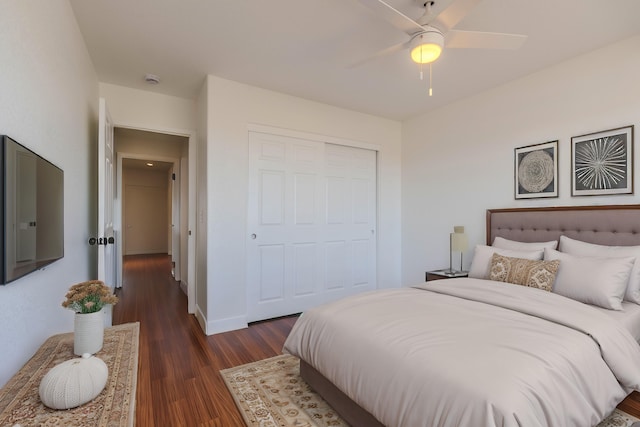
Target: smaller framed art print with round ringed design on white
{"x": 536, "y": 171}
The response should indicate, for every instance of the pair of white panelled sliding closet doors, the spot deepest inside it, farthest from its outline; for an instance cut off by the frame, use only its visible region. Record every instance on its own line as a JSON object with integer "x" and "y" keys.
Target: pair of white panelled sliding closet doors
{"x": 311, "y": 224}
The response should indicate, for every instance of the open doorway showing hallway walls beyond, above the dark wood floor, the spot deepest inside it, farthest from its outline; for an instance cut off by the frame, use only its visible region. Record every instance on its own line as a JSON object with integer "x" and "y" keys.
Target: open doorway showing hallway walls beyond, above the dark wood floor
{"x": 152, "y": 197}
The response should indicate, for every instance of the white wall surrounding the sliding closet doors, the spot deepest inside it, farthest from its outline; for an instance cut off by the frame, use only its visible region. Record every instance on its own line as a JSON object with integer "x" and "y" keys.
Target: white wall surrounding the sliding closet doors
{"x": 232, "y": 108}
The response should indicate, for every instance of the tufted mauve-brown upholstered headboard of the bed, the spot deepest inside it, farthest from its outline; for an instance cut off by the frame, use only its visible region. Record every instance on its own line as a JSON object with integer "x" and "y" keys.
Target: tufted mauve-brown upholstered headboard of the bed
{"x": 605, "y": 225}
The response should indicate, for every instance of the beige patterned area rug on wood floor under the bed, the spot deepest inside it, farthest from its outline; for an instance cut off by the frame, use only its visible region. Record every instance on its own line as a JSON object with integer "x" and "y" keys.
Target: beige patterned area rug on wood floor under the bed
{"x": 270, "y": 393}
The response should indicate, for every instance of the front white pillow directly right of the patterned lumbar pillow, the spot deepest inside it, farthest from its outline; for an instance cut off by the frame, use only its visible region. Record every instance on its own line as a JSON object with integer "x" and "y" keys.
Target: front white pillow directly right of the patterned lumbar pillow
{"x": 591, "y": 280}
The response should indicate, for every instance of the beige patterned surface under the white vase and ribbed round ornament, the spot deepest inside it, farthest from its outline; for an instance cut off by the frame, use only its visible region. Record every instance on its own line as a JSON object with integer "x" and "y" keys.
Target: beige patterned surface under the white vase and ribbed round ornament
{"x": 113, "y": 407}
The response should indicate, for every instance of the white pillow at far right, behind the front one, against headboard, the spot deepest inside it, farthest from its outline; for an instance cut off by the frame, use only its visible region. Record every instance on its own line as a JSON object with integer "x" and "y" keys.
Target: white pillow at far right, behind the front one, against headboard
{"x": 579, "y": 248}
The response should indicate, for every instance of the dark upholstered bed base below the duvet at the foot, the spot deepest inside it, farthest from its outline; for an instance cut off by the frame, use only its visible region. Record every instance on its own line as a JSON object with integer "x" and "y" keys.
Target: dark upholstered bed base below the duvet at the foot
{"x": 349, "y": 410}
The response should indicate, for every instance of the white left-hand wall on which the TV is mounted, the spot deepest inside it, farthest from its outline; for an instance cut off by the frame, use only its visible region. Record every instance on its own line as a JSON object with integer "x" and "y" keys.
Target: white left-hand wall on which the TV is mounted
{"x": 49, "y": 103}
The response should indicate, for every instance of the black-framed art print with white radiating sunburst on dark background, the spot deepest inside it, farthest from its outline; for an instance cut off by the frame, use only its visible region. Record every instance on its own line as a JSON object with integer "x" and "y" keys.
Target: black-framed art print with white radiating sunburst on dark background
{"x": 602, "y": 163}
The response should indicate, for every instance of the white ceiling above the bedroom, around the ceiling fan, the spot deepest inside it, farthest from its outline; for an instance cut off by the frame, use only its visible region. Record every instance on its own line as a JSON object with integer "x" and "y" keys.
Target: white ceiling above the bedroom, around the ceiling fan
{"x": 304, "y": 47}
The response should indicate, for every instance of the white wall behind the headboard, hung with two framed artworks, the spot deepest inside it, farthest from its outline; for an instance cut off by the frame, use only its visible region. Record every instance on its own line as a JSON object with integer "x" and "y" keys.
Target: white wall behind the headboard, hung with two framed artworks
{"x": 458, "y": 161}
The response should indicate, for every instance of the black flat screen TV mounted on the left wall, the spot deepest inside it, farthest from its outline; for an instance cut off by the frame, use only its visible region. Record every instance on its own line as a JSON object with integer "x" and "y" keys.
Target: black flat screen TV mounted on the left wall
{"x": 32, "y": 214}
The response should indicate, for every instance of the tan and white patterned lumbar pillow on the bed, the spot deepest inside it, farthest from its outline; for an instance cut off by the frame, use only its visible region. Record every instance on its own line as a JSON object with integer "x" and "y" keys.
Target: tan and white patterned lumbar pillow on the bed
{"x": 519, "y": 271}
